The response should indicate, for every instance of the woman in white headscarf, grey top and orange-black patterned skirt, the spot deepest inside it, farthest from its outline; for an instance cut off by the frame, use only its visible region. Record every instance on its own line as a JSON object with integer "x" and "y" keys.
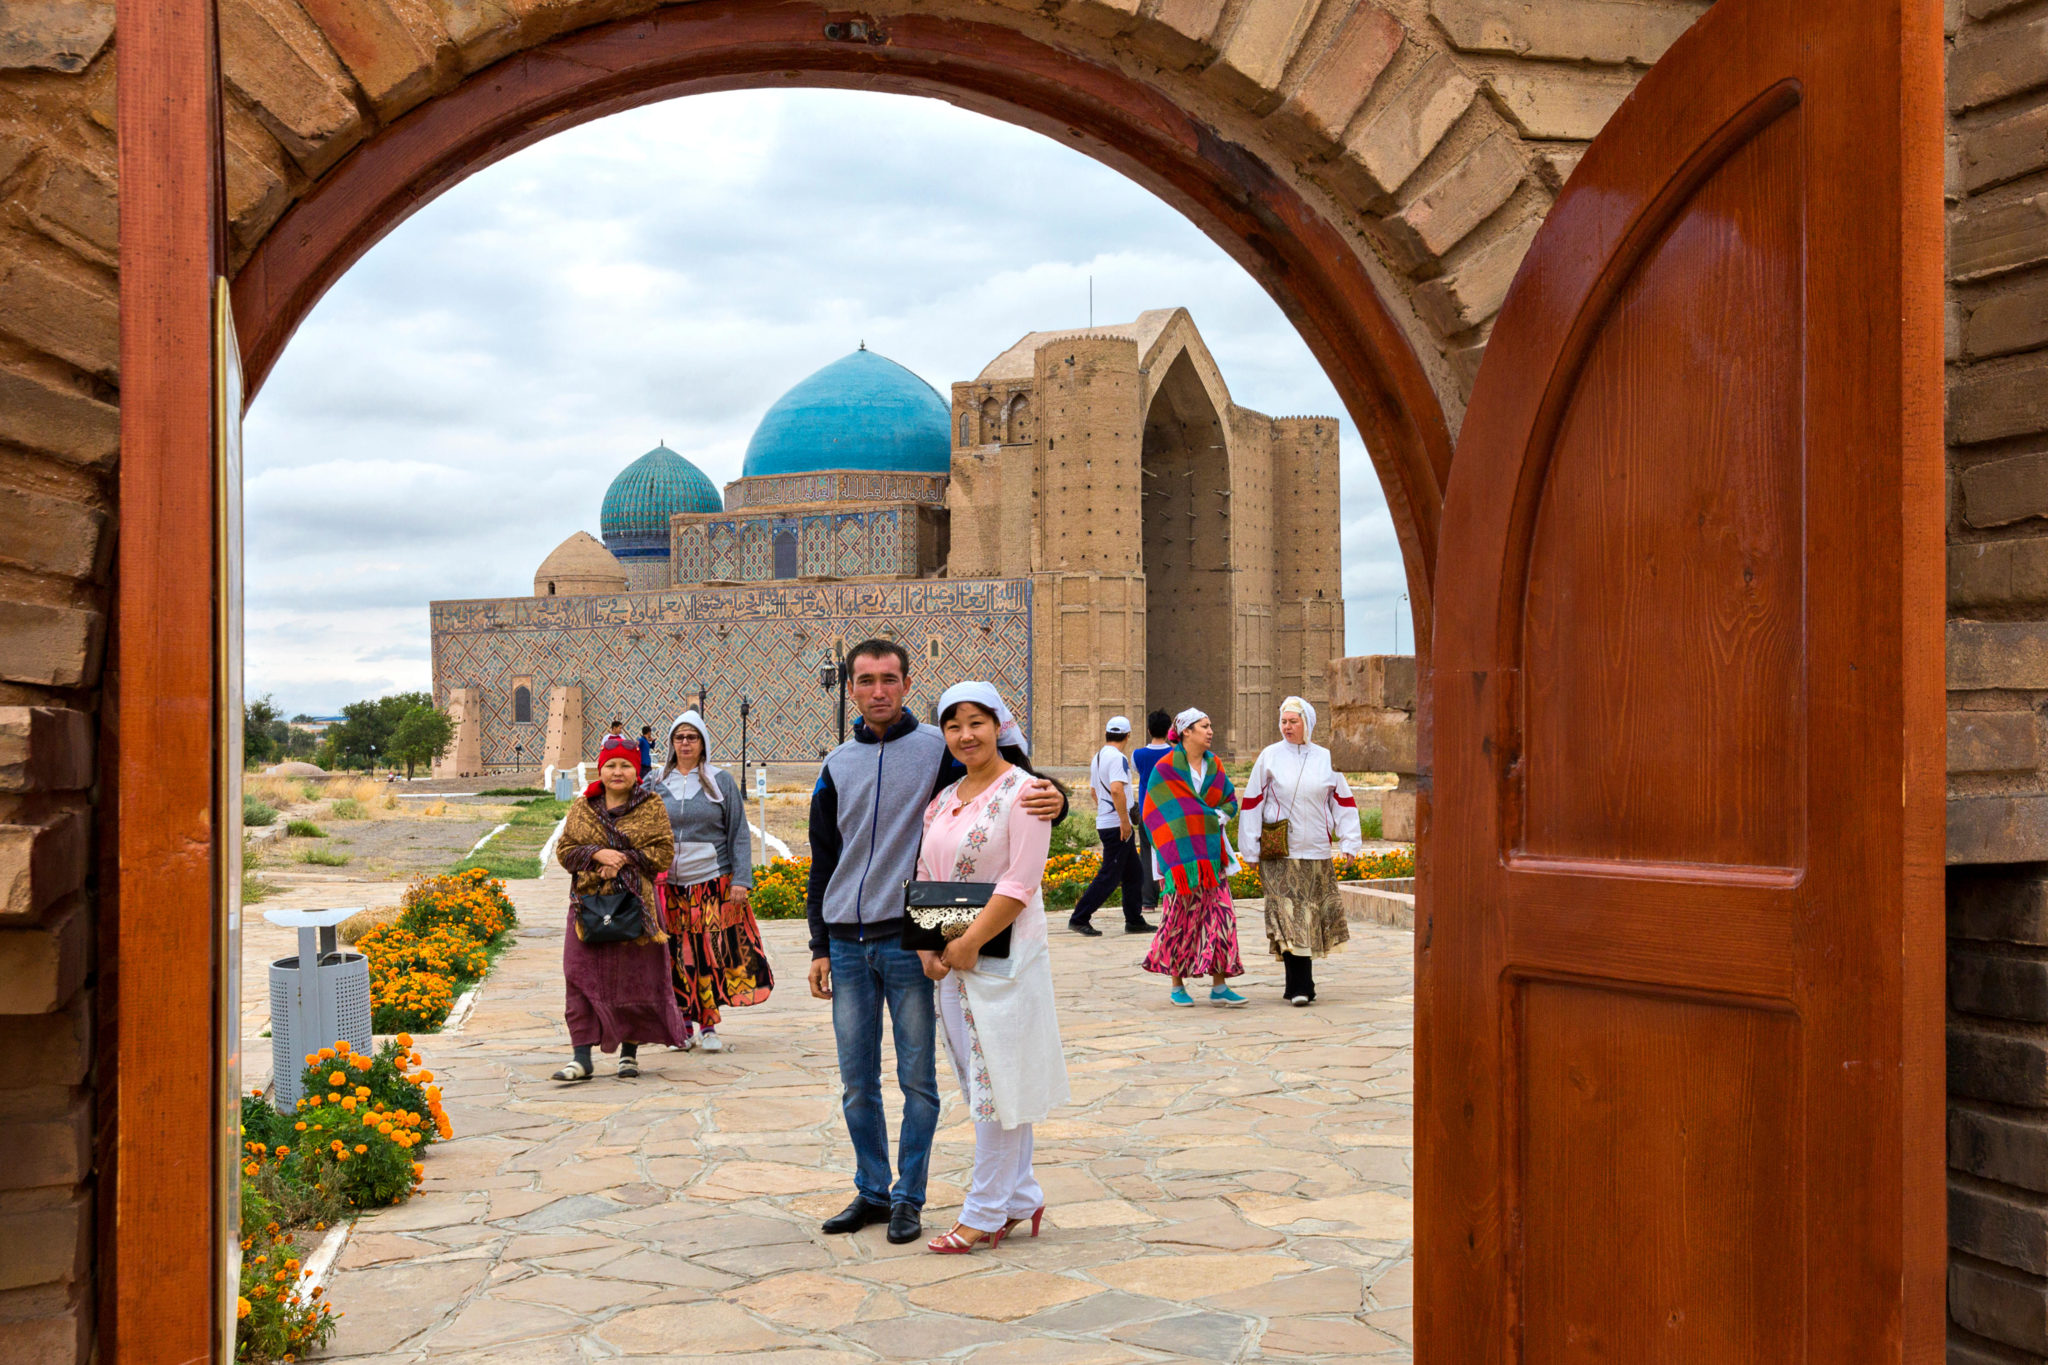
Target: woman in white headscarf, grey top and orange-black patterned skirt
{"x": 712, "y": 936}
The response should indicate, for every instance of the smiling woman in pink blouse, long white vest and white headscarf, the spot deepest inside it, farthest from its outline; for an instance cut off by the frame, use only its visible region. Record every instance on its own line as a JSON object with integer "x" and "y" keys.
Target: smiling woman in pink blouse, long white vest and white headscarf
{"x": 996, "y": 1012}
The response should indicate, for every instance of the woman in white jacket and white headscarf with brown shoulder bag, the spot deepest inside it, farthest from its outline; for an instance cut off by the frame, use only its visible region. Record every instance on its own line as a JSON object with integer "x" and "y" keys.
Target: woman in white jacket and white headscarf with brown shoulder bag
{"x": 1304, "y": 807}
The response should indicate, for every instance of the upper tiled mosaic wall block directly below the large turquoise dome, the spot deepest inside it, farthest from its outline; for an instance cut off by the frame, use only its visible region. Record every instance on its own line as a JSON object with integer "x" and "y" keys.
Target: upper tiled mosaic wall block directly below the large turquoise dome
{"x": 787, "y": 545}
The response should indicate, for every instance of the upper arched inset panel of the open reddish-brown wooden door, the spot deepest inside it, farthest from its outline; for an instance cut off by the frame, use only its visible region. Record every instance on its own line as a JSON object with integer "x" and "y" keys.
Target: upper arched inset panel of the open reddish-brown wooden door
{"x": 1662, "y": 601}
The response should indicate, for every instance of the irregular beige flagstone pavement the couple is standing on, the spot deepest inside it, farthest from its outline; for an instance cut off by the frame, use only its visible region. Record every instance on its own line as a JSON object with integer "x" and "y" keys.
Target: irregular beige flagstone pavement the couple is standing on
{"x": 1228, "y": 1186}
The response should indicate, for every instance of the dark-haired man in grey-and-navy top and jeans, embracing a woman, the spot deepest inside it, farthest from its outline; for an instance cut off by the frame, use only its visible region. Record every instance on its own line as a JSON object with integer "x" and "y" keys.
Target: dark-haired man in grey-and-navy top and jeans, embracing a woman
{"x": 867, "y": 822}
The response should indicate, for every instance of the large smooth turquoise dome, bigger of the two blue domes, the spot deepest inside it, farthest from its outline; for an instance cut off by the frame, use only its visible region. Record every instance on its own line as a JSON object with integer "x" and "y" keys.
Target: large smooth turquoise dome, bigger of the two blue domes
{"x": 859, "y": 412}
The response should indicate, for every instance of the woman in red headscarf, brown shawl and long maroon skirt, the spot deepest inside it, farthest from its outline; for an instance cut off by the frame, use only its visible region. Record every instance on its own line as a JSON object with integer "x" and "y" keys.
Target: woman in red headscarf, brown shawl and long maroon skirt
{"x": 617, "y": 840}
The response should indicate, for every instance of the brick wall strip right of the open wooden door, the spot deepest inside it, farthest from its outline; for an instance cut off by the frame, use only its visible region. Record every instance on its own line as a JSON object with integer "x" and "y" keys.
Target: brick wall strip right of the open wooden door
{"x": 1998, "y": 676}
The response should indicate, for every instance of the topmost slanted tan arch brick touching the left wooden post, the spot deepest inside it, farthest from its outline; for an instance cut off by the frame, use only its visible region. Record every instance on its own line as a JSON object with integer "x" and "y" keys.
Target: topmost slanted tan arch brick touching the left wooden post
{"x": 280, "y": 62}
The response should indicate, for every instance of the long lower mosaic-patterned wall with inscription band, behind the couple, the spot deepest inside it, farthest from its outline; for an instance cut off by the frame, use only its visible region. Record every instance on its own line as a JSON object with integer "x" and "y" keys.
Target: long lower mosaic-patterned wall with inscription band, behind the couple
{"x": 644, "y": 656}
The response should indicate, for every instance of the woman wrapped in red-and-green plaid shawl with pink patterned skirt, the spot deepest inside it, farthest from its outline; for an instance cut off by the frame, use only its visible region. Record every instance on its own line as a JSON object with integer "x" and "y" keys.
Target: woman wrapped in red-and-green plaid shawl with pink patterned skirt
{"x": 1187, "y": 805}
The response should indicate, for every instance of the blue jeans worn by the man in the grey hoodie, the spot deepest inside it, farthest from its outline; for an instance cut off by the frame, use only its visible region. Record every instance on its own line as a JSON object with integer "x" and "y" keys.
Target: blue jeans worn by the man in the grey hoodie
{"x": 863, "y": 979}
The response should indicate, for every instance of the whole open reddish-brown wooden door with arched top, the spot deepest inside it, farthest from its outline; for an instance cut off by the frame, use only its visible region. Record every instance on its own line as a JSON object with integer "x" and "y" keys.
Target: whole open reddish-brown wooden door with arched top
{"x": 1680, "y": 959}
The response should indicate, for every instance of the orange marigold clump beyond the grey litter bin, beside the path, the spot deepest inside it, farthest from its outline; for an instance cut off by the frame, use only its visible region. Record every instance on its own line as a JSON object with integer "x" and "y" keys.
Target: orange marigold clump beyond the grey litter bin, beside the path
{"x": 439, "y": 944}
